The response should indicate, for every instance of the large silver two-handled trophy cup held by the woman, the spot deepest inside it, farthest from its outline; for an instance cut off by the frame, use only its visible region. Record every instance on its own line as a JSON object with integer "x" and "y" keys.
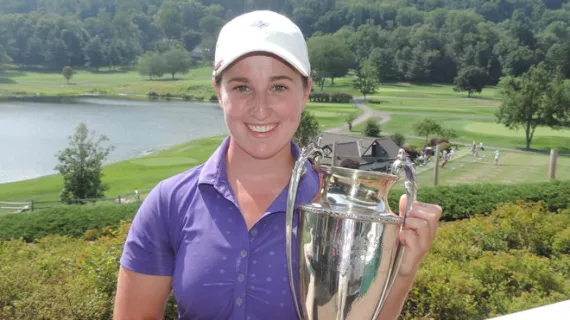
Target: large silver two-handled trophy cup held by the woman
{"x": 347, "y": 248}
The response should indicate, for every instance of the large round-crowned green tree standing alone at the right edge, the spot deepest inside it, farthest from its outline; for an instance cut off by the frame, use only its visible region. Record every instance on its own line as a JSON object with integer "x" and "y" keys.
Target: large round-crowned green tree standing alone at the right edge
{"x": 536, "y": 98}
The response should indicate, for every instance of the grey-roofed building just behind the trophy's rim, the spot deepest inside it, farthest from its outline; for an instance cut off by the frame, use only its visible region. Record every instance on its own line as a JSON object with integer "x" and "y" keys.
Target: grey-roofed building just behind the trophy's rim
{"x": 376, "y": 154}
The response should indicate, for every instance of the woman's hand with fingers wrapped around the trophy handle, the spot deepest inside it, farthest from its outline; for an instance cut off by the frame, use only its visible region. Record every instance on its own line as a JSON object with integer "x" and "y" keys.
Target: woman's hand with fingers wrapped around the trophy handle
{"x": 418, "y": 233}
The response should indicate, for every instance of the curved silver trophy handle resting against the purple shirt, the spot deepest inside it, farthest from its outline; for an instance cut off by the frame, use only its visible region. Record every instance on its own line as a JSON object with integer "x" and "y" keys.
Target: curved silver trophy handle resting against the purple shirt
{"x": 298, "y": 171}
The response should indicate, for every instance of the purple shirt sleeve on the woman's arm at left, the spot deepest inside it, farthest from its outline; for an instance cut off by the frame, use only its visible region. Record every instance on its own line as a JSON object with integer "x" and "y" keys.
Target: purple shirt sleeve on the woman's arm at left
{"x": 148, "y": 249}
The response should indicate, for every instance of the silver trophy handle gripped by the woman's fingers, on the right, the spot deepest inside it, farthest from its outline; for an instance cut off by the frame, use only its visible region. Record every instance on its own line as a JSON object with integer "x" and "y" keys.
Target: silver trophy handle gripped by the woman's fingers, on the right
{"x": 403, "y": 163}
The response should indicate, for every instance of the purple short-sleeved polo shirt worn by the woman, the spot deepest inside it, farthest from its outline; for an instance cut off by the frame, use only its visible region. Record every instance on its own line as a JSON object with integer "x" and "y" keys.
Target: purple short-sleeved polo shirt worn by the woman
{"x": 190, "y": 227}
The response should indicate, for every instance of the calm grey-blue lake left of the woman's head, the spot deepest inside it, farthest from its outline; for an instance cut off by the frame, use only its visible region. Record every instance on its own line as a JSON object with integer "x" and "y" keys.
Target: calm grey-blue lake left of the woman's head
{"x": 31, "y": 133}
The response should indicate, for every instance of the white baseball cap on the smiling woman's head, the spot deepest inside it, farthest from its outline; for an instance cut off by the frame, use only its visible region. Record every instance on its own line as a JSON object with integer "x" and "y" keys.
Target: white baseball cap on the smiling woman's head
{"x": 262, "y": 31}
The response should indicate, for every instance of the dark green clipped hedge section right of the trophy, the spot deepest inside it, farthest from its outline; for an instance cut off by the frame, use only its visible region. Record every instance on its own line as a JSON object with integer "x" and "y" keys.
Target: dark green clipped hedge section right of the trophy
{"x": 465, "y": 200}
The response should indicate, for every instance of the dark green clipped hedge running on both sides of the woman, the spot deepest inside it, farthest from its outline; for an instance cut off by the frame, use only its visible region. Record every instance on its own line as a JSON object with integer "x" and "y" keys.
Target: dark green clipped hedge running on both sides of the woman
{"x": 458, "y": 202}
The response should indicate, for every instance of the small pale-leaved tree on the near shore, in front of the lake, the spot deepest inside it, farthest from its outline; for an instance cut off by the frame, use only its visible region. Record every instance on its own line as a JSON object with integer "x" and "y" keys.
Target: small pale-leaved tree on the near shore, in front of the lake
{"x": 80, "y": 164}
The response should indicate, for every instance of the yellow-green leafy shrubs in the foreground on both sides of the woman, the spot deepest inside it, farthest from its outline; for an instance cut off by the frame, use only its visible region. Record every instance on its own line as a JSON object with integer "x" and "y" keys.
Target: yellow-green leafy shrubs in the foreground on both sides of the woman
{"x": 514, "y": 259}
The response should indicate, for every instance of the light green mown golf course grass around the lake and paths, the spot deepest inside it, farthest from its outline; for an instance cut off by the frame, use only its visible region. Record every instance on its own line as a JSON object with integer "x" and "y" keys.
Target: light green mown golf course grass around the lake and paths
{"x": 396, "y": 106}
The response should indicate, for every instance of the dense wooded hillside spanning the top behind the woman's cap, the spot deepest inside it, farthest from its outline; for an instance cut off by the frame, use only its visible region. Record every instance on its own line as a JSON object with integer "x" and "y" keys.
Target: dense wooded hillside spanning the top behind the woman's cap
{"x": 406, "y": 40}
